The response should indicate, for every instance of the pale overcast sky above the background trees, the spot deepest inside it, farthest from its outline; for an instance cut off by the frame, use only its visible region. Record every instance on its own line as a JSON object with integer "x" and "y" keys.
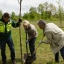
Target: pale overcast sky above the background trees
{"x": 13, "y": 5}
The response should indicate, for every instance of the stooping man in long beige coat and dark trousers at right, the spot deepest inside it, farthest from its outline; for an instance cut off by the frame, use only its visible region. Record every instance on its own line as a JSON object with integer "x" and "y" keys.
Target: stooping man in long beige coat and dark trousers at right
{"x": 54, "y": 37}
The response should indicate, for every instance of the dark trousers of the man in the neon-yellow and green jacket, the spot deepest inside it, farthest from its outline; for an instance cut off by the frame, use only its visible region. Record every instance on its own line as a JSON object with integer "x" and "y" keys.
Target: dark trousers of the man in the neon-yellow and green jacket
{"x": 3, "y": 49}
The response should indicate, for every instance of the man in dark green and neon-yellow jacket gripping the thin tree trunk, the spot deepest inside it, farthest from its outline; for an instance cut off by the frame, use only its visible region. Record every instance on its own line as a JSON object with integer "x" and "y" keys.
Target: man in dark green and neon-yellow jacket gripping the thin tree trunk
{"x": 5, "y": 36}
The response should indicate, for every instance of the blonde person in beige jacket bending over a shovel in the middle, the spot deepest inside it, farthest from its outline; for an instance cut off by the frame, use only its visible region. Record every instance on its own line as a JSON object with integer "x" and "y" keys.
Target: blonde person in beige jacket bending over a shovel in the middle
{"x": 32, "y": 35}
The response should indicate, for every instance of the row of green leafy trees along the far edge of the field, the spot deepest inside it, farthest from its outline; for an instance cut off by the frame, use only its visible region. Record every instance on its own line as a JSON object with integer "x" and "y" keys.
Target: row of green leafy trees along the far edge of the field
{"x": 43, "y": 11}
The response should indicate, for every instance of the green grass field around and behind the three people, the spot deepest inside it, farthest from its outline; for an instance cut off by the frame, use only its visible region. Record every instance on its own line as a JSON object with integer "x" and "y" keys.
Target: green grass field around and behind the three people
{"x": 44, "y": 53}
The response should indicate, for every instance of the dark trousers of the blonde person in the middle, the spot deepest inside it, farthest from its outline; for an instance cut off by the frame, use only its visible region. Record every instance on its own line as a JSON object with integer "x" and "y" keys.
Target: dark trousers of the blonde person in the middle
{"x": 32, "y": 47}
